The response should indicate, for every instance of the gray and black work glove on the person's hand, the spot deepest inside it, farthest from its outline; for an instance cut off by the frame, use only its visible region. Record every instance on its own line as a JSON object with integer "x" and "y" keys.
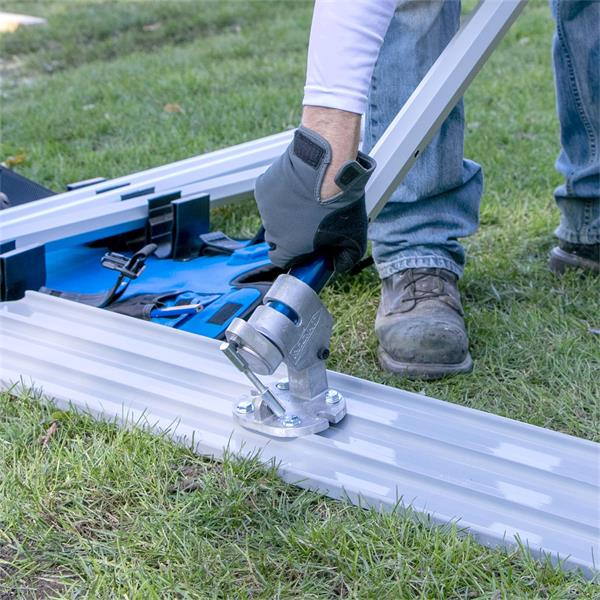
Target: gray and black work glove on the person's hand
{"x": 298, "y": 224}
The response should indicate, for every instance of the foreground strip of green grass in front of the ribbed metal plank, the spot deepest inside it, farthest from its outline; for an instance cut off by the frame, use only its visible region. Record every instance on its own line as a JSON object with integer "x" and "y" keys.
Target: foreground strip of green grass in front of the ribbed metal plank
{"x": 102, "y": 512}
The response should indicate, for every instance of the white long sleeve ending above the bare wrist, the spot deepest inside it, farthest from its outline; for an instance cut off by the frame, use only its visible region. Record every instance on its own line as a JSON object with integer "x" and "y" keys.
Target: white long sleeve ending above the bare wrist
{"x": 345, "y": 39}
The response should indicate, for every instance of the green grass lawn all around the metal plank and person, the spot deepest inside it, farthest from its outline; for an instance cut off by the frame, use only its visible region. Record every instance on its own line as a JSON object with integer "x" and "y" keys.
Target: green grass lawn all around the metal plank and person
{"x": 97, "y": 512}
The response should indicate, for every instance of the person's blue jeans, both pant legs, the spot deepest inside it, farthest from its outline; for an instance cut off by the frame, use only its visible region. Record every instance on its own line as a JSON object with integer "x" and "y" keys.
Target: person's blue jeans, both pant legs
{"x": 438, "y": 202}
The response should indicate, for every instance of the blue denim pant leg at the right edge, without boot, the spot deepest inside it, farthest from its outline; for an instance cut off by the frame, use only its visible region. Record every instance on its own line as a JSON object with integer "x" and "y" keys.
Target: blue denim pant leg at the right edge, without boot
{"x": 576, "y": 53}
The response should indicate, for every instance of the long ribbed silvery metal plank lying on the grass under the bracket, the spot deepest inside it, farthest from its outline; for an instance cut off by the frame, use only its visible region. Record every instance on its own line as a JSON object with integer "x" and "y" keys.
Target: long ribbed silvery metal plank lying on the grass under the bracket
{"x": 501, "y": 479}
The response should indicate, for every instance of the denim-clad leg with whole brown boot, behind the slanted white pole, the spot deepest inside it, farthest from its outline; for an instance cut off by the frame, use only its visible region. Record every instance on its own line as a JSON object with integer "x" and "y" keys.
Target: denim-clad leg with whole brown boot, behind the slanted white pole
{"x": 415, "y": 238}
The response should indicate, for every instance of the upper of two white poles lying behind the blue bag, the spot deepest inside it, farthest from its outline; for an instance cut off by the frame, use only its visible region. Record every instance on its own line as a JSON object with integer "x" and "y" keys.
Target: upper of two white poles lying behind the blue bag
{"x": 224, "y": 161}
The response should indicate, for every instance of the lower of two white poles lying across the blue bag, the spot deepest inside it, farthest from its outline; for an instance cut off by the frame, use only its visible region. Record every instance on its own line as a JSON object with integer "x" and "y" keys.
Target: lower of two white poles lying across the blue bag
{"x": 126, "y": 215}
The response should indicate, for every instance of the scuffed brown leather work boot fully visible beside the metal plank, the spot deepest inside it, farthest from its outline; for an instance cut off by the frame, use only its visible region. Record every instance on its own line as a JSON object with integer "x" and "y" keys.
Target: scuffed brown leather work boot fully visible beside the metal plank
{"x": 420, "y": 325}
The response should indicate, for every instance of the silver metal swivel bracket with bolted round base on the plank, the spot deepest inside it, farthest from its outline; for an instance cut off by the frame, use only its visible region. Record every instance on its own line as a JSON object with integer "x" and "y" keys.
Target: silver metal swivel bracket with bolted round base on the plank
{"x": 294, "y": 327}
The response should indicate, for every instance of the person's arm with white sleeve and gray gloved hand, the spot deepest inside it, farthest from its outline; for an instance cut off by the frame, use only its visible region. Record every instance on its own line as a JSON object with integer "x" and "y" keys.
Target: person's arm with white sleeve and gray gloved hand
{"x": 311, "y": 199}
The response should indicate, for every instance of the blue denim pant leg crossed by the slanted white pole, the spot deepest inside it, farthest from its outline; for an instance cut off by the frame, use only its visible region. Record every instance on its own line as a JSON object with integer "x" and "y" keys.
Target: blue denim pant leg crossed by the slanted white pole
{"x": 438, "y": 201}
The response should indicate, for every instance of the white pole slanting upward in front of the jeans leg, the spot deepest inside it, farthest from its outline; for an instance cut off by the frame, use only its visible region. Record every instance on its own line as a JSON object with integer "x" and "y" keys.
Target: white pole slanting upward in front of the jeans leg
{"x": 433, "y": 99}
